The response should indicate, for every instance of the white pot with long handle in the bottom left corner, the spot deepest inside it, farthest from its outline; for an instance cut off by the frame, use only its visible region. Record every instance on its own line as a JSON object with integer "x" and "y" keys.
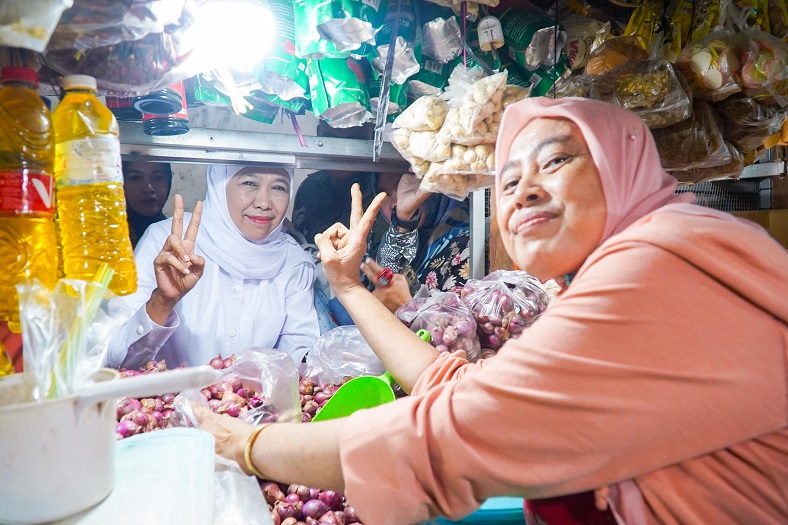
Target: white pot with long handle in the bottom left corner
{"x": 57, "y": 456}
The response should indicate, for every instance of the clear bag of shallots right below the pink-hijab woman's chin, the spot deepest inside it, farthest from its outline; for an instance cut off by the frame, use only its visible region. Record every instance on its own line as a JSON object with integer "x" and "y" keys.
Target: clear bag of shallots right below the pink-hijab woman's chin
{"x": 503, "y": 304}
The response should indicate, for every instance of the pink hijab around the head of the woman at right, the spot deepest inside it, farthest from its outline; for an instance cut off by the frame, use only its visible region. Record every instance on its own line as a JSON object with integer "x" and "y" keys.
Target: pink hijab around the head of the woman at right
{"x": 621, "y": 145}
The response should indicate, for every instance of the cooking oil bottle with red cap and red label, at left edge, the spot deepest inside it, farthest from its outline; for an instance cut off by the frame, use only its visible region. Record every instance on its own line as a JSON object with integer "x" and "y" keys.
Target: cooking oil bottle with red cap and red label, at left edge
{"x": 28, "y": 246}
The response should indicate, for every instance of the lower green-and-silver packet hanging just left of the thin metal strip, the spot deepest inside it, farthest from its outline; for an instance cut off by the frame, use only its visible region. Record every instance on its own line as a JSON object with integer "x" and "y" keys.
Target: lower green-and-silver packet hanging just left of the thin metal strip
{"x": 339, "y": 95}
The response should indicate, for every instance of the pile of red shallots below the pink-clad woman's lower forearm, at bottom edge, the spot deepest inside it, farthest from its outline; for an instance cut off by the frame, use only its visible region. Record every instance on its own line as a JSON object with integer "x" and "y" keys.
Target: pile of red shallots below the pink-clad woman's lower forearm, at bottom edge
{"x": 302, "y": 505}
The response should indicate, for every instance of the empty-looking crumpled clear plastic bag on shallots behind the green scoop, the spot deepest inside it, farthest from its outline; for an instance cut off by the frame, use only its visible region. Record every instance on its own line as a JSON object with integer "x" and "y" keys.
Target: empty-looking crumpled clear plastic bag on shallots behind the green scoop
{"x": 343, "y": 352}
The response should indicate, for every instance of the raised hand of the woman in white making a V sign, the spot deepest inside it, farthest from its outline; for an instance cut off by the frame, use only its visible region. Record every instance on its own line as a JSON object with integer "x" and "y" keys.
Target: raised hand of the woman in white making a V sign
{"x": 177, "y": 267}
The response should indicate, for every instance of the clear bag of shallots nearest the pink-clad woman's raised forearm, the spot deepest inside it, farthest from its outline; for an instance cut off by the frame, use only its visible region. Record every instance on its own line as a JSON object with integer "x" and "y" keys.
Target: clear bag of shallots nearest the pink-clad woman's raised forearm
{"x": 448, "y": 320}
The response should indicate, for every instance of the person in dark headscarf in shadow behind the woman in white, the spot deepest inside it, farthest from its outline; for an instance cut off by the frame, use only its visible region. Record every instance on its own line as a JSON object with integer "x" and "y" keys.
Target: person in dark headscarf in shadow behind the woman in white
{"x": 147, "y": 186}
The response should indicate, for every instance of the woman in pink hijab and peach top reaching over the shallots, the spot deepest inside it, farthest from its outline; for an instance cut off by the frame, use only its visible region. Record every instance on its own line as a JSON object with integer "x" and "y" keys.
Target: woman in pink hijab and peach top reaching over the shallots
{"x": 659, "y": 372}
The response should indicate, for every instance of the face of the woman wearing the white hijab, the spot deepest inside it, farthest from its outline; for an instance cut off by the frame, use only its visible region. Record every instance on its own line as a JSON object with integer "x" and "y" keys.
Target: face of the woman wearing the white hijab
{"x": 257, "y": 199}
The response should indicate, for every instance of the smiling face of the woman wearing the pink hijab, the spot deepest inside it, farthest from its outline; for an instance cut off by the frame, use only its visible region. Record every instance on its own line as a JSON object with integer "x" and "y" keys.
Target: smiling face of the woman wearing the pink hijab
{"x": 551, "y": 209}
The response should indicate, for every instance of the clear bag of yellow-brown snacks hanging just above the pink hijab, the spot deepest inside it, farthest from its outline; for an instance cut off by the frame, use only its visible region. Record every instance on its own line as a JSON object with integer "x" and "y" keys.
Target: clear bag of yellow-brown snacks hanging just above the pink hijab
{"x": 650, "y": 88}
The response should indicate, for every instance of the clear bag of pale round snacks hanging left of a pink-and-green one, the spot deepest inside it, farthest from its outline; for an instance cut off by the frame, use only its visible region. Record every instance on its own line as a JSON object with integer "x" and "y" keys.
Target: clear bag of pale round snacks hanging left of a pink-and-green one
{"x": 710, "y": 65}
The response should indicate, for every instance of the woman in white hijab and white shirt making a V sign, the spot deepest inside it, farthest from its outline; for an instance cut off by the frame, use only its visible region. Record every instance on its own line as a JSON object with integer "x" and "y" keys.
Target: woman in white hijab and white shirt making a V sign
{"x": 233, "y": 281}
